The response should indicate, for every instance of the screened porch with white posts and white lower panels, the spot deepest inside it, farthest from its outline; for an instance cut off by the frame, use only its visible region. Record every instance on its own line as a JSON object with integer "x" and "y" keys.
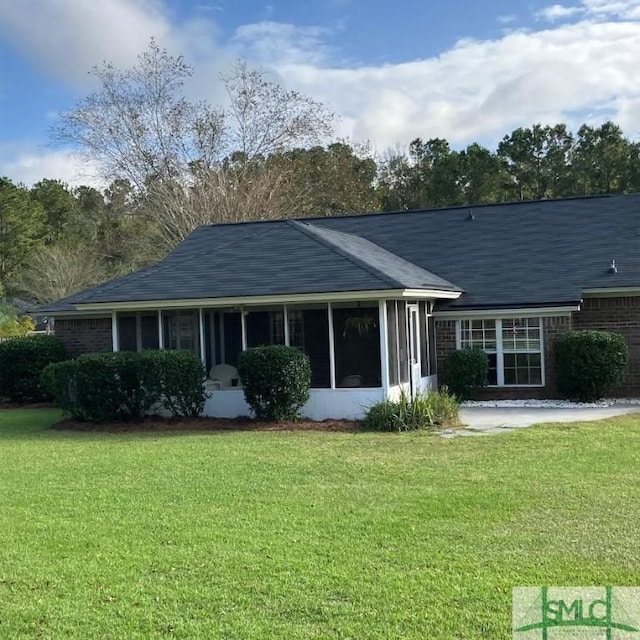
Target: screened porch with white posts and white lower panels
{"x": 361, "y": 350}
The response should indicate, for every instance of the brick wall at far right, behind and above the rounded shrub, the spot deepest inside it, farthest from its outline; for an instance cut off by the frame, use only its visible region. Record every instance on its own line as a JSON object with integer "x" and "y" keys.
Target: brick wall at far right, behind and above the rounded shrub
{"x": 620, "y": 315}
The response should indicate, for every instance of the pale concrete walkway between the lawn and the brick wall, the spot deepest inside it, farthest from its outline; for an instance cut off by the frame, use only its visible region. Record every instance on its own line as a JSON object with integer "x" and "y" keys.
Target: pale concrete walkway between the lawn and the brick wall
{"x": 489, "y": 420}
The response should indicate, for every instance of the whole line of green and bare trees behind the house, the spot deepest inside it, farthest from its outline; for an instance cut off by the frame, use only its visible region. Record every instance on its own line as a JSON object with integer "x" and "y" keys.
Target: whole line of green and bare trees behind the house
{"x": 172, "y": 164}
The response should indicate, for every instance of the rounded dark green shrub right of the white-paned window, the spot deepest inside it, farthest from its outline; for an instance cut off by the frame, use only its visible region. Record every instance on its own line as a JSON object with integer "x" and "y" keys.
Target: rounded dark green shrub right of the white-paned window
{"x": 590, "y": 363}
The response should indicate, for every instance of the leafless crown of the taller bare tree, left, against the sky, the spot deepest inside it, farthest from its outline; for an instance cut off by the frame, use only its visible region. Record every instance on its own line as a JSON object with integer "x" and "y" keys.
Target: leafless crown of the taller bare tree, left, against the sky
{"x": 138, "y": 126}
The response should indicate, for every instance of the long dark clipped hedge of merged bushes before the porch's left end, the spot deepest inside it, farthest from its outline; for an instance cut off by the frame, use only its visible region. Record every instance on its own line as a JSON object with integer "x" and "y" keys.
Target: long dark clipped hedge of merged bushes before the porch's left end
{"x": 123, "y": 386}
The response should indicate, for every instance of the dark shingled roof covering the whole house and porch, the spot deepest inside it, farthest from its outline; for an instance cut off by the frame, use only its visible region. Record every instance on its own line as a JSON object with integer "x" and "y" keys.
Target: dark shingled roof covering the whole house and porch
{"x": 507, "y": 255}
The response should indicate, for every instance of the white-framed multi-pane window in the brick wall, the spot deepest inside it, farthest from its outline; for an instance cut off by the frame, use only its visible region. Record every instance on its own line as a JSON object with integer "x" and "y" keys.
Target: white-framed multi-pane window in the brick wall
{"x": 514, "y": 347}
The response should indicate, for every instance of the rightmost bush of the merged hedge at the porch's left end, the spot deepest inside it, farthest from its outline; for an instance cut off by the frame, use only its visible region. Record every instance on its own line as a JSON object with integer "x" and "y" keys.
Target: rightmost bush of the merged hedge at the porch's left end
{"x": 179, "y": 376}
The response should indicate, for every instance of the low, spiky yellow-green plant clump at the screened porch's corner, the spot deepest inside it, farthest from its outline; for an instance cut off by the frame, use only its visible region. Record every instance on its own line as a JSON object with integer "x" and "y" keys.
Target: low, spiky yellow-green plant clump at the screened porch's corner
{"x": 426, "y": 411}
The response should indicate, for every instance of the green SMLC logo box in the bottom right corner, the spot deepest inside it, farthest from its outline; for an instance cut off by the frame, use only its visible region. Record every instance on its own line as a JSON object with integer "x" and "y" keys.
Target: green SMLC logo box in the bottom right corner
{"x": 567, "y": 613}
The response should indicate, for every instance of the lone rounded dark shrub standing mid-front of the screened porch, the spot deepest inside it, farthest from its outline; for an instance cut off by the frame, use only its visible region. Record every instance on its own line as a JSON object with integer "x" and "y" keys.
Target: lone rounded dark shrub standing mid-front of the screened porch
{"x": 276, "y": 381}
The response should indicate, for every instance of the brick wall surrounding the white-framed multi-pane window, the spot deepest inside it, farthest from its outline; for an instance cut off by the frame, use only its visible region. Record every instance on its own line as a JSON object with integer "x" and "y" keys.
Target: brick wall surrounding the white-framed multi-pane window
{"x": 551, "y": 328}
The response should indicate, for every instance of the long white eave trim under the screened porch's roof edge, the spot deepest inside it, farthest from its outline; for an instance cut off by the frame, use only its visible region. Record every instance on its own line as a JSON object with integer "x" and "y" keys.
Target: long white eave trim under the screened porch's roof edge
{"x": 335, "y": 296}
